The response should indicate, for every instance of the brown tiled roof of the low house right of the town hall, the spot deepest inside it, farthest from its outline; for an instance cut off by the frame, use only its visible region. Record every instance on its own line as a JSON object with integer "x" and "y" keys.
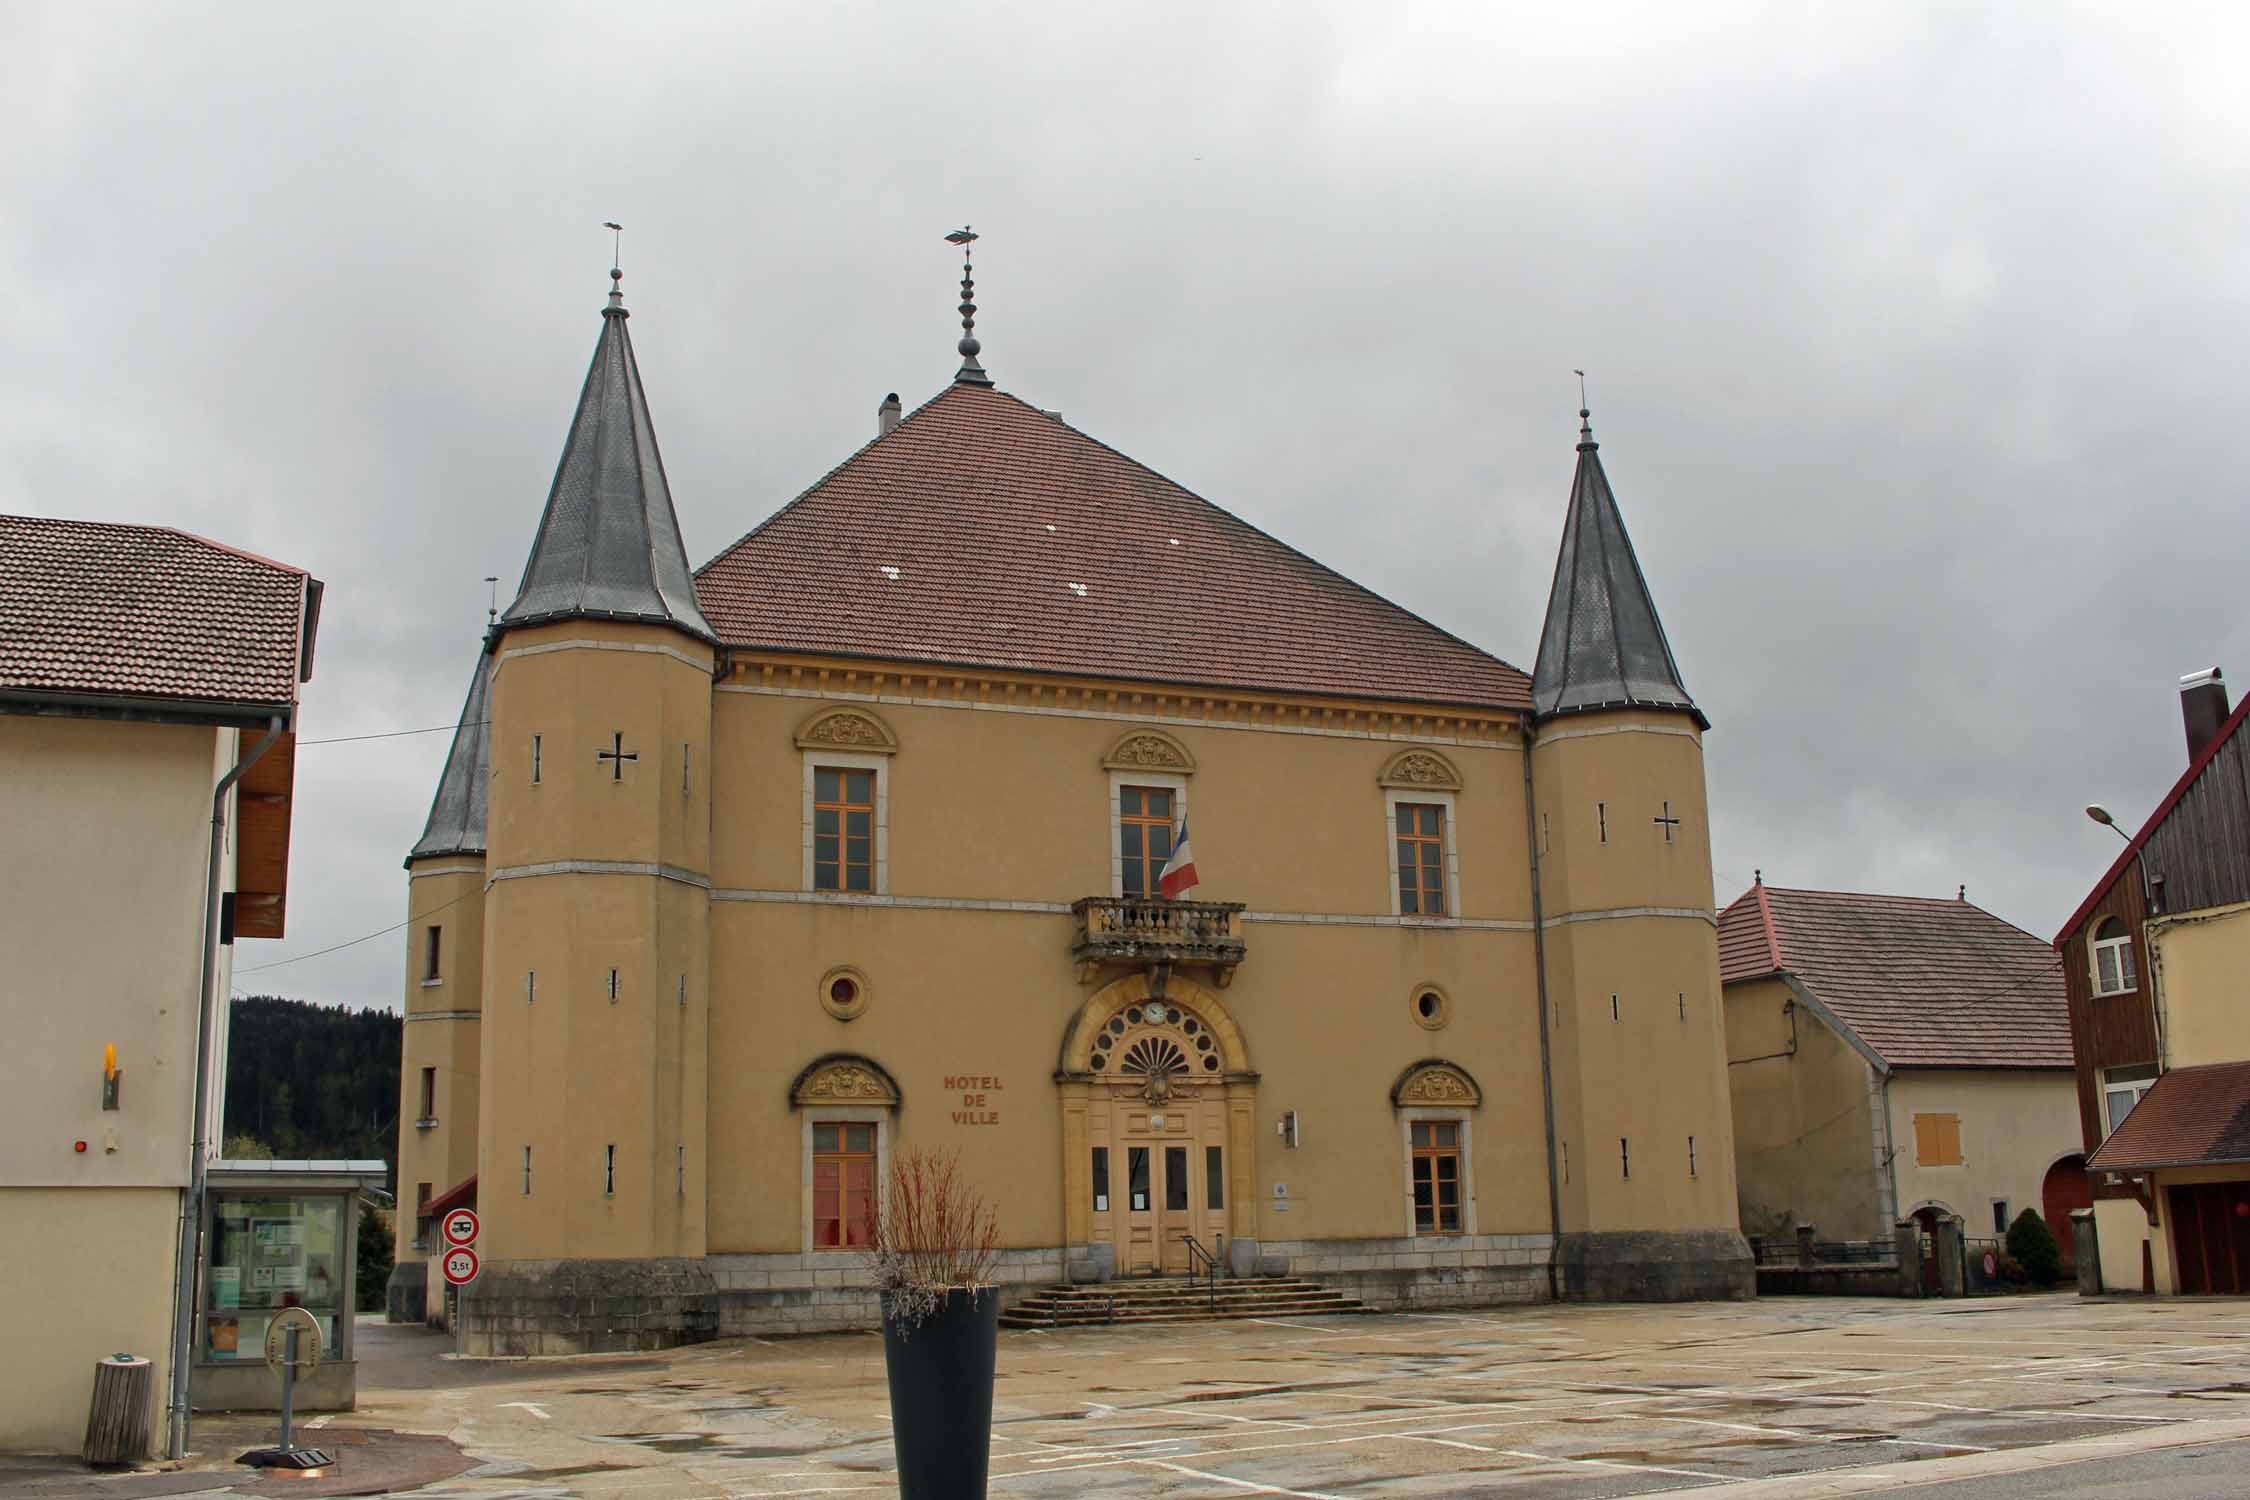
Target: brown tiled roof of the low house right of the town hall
{"x": 1927, "y": 984}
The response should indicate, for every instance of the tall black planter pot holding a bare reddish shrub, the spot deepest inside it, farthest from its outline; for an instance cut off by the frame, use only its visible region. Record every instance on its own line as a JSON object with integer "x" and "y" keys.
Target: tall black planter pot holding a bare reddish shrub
{"x": 942, "y": 1395}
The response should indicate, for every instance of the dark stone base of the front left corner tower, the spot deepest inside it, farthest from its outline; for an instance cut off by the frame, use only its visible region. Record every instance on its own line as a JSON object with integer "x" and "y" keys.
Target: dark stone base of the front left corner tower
{"x": 588, "y": 1305}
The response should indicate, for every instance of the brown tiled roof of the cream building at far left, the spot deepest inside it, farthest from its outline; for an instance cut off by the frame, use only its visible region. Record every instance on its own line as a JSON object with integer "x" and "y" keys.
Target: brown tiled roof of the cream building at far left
{"x": 145, "y": 613}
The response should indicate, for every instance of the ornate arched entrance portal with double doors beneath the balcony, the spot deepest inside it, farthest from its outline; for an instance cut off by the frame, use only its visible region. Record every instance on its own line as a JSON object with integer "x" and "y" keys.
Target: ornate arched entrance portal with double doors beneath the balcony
{"x": 1158, "y": 1110}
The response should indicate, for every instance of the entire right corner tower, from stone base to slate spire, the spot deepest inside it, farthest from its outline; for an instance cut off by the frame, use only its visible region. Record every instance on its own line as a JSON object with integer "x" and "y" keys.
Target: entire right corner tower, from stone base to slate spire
{"x": 1637, "y": 1033}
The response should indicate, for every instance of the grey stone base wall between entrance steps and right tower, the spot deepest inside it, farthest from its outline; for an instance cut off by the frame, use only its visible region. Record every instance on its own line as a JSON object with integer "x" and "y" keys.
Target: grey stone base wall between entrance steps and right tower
{"x": 1434, "y": 1272}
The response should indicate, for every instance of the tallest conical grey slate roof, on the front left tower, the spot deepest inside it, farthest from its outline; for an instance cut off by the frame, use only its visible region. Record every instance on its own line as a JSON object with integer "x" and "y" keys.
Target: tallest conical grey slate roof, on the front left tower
{"x": 609, "y": 543}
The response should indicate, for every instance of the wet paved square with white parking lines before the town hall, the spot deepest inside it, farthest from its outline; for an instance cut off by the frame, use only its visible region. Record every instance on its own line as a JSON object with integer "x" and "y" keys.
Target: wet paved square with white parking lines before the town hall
{"x": 1556, "y": 1402}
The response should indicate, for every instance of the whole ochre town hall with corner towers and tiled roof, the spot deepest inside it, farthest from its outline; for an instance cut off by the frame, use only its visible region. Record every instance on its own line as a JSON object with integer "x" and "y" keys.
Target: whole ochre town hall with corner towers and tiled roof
{"x": 741, "y": 880}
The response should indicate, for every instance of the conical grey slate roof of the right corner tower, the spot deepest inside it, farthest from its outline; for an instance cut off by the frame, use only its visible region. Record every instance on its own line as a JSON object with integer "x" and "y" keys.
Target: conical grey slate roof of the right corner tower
{"x": 1603, "y": 644}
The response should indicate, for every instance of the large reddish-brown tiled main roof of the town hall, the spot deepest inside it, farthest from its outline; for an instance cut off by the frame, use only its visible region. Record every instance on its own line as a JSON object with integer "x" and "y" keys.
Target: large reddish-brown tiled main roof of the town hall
{"x": 984, "y": 532}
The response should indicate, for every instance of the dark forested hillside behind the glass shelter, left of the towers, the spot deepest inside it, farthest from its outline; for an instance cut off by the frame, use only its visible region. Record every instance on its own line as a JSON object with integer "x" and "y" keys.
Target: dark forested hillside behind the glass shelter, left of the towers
{"x": 314, "y": 1081}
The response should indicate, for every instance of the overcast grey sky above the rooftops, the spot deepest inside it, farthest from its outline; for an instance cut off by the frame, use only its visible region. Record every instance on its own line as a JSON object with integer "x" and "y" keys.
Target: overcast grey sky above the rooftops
{"x": 1914, "y": 341}
